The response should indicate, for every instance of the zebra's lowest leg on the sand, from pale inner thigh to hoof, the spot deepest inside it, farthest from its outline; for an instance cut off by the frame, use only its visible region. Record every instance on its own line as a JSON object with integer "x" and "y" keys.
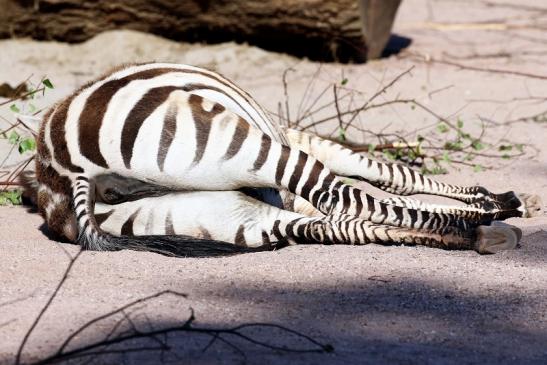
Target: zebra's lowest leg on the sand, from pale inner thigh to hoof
{"x": 251, "y": 223}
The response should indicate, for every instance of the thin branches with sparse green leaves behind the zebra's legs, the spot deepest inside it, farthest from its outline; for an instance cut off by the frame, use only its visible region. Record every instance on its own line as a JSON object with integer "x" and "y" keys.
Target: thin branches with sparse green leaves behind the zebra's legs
{"x": 444, "y": 142}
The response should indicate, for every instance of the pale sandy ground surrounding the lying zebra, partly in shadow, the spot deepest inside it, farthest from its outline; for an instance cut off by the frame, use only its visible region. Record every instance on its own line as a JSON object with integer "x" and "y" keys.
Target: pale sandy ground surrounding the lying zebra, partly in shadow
{"x": 374, "y": 304}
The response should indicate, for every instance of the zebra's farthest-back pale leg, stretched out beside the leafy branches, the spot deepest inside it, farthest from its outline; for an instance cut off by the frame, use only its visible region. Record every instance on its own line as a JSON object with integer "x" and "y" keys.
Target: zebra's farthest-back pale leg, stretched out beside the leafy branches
{"x": 402, "y": 180}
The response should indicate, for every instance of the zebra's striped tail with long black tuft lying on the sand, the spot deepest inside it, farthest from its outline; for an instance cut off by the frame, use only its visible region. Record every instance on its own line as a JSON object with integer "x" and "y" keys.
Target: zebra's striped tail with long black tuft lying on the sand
{"x": 91, "y": 237}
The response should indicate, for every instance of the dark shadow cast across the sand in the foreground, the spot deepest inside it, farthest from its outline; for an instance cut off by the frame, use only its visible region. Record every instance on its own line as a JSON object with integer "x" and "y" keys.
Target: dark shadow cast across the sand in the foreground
{"x": 379, "y": 320}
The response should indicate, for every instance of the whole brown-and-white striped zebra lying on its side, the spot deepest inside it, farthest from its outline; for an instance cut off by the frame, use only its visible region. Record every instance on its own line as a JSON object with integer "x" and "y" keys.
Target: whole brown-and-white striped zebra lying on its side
{"x": 178, "y": 160}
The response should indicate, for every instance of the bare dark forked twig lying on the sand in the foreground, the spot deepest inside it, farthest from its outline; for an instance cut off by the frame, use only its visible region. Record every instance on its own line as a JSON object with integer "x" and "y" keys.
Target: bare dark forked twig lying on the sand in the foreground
{"x": 113, "y": 337}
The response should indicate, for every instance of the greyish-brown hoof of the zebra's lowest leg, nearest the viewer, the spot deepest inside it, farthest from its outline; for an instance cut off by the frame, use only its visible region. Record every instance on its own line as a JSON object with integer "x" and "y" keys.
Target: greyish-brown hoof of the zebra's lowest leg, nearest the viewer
{"x": 494, "y": 239}
